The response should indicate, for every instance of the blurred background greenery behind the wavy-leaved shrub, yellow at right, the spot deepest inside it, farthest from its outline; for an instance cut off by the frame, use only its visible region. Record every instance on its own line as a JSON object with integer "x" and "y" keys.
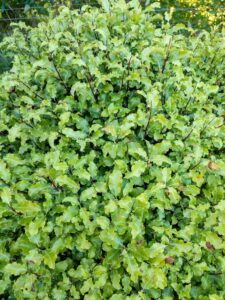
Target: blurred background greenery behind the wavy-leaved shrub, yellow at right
{"x": 195, "y": 13}
